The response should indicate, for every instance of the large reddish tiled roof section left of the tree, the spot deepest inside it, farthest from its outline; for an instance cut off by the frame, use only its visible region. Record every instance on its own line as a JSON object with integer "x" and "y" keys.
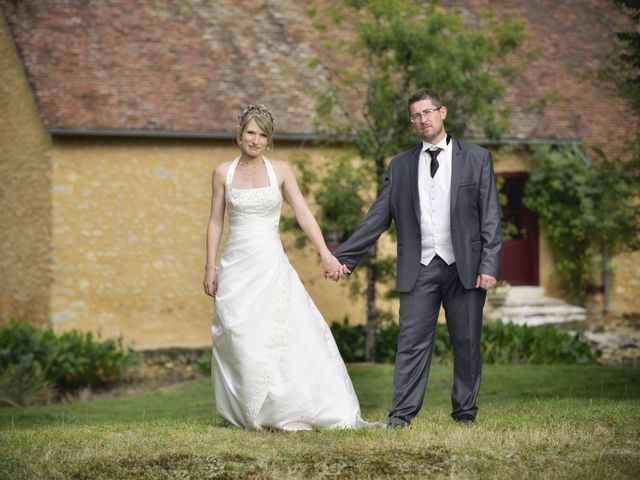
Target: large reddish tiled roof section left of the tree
{"x": 174, "y": 66}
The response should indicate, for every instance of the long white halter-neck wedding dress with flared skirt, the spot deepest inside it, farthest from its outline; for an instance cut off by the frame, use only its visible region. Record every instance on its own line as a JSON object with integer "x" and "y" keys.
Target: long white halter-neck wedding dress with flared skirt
{"x": 275, "y": 363}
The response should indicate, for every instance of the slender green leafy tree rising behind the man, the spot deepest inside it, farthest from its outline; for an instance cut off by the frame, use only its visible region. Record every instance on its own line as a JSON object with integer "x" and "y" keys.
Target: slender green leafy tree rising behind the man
{"x": 376, "y": 53}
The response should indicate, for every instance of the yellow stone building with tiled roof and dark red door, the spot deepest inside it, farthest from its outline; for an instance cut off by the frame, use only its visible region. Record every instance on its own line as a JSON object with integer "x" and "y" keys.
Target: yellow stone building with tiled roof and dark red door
{"x": 114, "y": 114}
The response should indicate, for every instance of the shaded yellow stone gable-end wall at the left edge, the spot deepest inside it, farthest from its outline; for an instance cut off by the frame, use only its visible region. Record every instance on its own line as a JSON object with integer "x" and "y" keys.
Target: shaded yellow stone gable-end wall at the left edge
{"x": 25, "y": 195}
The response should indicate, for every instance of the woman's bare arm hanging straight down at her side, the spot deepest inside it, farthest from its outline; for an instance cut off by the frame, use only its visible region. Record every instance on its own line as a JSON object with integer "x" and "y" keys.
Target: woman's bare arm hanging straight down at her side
{"x": 214, "y": 229}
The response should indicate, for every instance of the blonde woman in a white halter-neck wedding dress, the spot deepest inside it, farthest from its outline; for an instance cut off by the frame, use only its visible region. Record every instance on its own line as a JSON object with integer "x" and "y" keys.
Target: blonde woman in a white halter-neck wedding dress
{"x": 275, "y": 364}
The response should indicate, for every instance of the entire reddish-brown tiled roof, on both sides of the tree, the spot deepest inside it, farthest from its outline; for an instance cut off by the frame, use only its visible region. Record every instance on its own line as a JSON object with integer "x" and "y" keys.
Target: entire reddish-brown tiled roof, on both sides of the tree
{"x": 190, "y": 66}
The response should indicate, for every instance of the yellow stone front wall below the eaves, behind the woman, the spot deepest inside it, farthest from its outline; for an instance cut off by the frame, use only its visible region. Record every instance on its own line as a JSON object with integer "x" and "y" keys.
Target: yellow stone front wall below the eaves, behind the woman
{"x": 128, "y": 239}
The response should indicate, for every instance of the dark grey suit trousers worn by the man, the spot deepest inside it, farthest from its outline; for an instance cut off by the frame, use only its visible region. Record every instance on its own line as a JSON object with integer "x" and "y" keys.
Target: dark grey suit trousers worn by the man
{"x": 437, "y": 284}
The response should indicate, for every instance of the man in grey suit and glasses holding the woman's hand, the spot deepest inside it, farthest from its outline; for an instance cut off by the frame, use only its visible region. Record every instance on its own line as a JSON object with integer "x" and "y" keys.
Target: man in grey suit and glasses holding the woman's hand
{"x": 442, "y": 197}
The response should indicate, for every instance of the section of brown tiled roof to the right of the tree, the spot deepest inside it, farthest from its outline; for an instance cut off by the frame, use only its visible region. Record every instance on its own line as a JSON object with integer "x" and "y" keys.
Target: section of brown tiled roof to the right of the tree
{"x": 574, "y": 38}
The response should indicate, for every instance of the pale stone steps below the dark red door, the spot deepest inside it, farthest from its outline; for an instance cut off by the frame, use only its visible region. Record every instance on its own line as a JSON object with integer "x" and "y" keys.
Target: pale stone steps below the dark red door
{"x": 529, "y": 306}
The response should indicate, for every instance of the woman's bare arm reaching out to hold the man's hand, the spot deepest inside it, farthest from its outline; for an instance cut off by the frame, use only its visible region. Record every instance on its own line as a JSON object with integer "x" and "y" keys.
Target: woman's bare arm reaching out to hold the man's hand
{"x": 307, "y": 221}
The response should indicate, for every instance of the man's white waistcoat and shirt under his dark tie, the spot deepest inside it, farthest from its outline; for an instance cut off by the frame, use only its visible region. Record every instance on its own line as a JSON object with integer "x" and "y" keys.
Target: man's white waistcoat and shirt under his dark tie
{"x": 435, "y": 205}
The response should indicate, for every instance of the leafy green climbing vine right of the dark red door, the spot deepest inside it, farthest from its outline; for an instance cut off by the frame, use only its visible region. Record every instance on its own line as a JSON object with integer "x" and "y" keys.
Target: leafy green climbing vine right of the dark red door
{"x": 582, "y": 206}
